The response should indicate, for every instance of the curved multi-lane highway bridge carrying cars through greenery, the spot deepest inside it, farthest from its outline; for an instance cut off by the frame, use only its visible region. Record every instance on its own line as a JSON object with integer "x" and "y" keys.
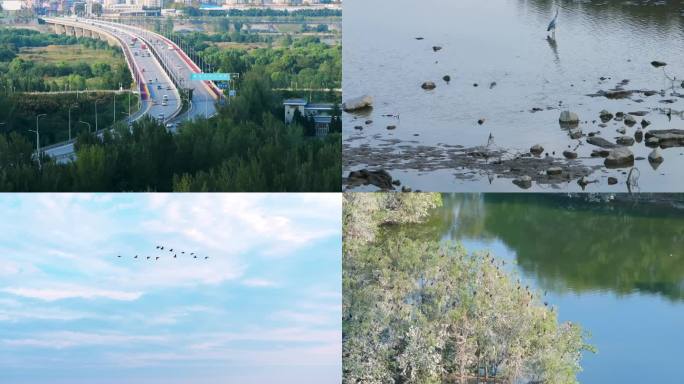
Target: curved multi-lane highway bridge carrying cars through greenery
{"x": 159, "y": 69}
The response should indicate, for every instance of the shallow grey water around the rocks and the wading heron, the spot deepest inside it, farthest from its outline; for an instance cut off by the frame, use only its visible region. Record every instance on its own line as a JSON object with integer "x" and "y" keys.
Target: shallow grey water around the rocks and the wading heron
{"x": 505, "y": 42}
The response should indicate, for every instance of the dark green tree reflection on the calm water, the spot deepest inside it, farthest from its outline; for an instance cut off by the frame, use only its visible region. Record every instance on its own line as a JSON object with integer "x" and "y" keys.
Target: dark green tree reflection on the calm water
{"x": 579, "y": 245}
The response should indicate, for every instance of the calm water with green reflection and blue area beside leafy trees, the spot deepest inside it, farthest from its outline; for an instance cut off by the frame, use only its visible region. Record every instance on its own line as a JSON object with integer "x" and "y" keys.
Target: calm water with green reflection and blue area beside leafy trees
{"x": 615, "y": 268}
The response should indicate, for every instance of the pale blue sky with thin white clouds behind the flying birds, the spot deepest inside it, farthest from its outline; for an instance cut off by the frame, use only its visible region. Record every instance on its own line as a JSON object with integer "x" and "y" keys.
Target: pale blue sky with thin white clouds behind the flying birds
{"x": 264, "y": 308}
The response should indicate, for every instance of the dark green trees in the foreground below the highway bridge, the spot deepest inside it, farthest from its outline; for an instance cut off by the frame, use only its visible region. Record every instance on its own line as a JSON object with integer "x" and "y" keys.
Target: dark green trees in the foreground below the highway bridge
{"x": 246, "y": 147}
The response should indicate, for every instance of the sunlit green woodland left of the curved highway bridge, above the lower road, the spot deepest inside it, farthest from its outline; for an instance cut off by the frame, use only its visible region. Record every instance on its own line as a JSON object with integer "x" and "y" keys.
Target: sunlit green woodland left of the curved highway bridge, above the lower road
{"x": 18, "y": 74}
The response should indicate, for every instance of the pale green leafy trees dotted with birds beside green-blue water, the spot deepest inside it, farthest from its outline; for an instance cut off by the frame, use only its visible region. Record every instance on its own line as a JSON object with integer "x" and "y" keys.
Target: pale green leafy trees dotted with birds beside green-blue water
{"x": 420, "y": 311}
